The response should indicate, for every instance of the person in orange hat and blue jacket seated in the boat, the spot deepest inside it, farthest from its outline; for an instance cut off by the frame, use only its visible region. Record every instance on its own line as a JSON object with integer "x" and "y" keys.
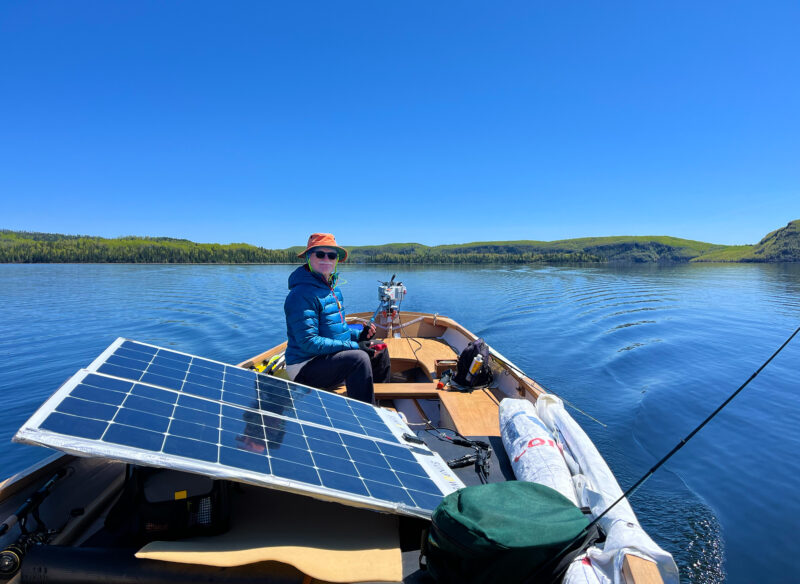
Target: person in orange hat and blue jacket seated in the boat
{"x": 322, "y": 351}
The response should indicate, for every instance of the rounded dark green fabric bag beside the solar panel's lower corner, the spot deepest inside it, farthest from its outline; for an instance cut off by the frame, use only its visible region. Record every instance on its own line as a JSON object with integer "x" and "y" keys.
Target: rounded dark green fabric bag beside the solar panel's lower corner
{"x": 501, "y": 532}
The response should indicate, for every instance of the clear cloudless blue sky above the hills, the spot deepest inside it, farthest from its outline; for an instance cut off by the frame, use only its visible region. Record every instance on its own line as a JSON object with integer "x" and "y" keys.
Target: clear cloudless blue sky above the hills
{"x": 435, "y": 122}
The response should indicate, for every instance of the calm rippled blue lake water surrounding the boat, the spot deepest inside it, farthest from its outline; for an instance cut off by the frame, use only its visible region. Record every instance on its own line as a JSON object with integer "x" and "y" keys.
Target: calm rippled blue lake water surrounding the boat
{"x": 648, "y": 350}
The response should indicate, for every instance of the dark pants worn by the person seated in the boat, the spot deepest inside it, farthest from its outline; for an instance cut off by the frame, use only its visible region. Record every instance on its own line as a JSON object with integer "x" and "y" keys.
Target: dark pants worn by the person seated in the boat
{"x": 354, "y": 367}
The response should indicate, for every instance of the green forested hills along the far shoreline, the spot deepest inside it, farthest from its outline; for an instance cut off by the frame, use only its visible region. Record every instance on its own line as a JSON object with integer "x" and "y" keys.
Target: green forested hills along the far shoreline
{"x": 782, "y": 245}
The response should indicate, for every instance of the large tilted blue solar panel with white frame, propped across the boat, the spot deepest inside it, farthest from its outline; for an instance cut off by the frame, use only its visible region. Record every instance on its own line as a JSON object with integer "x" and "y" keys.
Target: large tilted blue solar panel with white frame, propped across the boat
{"x": 153, "y": 406}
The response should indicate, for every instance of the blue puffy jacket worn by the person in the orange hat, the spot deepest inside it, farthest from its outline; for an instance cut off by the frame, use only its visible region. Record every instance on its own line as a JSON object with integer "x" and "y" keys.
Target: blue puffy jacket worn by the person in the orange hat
{"x": 315, "y": 322}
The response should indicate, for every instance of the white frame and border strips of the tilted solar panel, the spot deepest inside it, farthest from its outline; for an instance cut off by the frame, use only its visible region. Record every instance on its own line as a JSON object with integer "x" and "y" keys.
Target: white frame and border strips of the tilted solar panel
{"x": 31, "y": 433}
